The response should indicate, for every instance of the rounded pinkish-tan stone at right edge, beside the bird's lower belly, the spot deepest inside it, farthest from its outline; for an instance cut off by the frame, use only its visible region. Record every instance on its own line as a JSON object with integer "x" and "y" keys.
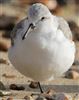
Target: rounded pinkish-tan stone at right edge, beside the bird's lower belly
{"x": 72, "y": 75}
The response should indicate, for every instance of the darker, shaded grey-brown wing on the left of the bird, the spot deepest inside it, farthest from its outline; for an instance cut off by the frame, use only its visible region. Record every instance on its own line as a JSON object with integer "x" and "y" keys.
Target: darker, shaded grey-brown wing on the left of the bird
{"x": 18, "y": 27}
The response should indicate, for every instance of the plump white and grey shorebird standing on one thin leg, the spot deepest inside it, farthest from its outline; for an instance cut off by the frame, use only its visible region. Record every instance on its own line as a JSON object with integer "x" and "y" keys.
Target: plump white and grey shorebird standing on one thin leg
{"x": 42, "y": 46}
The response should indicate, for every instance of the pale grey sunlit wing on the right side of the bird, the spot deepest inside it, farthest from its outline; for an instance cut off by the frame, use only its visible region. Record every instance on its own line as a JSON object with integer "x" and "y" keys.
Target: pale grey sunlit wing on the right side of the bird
{"x": 63, "y": 25}
